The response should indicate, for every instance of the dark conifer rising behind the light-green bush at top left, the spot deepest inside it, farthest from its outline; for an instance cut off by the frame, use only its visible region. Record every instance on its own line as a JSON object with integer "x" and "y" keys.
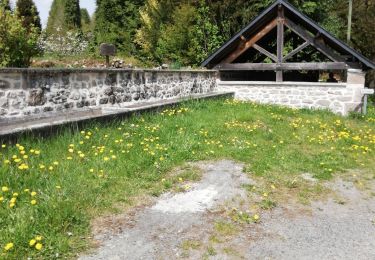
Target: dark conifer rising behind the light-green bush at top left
{"x": 28, "y": 11}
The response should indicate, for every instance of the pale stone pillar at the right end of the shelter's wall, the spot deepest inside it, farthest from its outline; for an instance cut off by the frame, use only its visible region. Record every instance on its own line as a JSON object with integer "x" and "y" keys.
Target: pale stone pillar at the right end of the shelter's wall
{"x": 355, "y": 85}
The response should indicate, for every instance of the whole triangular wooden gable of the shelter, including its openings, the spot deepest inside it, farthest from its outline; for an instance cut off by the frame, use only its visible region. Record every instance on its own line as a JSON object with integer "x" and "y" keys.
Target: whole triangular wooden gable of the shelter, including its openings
{"x": 261, "y": 46}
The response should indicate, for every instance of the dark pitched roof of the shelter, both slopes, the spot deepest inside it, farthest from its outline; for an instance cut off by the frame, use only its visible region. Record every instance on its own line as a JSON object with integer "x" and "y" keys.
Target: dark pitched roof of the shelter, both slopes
{"x": 306, "y": 28}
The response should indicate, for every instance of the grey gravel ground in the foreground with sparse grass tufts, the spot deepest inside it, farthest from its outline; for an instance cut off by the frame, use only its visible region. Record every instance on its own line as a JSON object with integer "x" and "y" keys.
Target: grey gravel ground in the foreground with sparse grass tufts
{"x": 200, "y": 223}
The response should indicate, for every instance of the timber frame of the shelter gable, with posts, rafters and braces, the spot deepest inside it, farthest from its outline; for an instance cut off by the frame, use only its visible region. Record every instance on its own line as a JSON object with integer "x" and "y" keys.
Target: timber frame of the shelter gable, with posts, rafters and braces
{"x": 279, "y": 15}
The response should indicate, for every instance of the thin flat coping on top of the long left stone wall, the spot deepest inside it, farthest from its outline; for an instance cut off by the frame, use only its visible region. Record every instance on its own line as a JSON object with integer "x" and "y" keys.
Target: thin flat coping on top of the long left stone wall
{"x": 95, "y": 70}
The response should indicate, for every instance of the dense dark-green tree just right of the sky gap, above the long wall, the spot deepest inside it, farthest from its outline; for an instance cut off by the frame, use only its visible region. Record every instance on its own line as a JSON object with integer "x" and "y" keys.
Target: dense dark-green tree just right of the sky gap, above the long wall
{"x": 116, "y": 22}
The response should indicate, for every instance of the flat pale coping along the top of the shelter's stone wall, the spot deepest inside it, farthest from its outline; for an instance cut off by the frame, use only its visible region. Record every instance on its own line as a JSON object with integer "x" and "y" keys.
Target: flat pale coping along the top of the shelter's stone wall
{"x": 285, "y": 83}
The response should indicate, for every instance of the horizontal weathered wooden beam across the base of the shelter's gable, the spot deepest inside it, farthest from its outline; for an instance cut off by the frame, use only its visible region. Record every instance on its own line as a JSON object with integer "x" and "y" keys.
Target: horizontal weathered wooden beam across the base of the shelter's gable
{"x": 284, "y": 66}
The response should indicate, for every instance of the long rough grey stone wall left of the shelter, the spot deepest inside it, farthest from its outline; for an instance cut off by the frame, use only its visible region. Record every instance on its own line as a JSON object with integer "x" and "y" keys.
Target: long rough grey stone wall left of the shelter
{"x": 26, "y": 92}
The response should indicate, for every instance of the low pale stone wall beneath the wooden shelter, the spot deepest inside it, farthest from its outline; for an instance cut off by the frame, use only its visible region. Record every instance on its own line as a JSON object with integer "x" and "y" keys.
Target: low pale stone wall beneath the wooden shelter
{"x": 340, "y": 98}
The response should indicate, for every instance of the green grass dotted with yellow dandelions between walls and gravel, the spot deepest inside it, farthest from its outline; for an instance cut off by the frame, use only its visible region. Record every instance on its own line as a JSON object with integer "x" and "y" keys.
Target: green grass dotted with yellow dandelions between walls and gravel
{"x": 52, "y": 188}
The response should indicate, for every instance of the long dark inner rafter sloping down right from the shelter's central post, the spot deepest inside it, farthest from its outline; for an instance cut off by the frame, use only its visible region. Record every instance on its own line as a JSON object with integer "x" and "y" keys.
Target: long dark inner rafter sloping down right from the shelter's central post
{"x": 319, "y": 45}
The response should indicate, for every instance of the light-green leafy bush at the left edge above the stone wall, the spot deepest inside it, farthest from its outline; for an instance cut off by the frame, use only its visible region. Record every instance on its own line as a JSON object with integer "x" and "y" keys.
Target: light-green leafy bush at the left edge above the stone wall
{"x": 17, "y": 42}
